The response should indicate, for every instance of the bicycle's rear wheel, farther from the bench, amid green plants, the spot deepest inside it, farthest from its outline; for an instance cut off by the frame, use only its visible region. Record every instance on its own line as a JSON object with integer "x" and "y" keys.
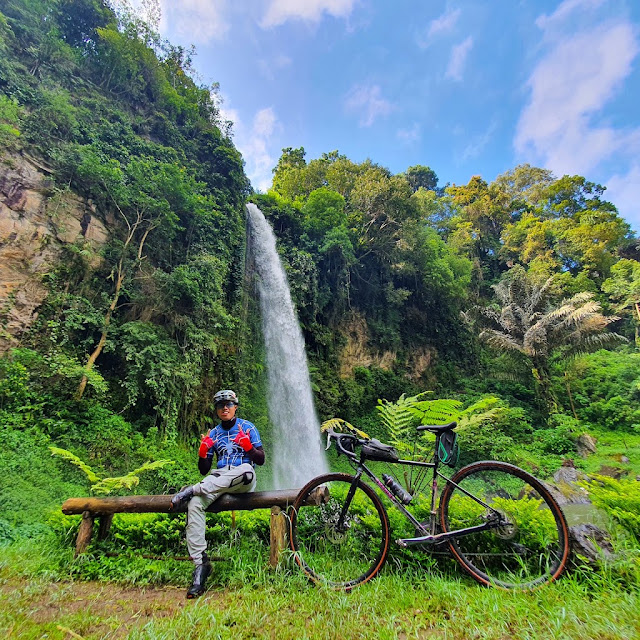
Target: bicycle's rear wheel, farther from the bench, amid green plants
{"x": 524, "y": 538}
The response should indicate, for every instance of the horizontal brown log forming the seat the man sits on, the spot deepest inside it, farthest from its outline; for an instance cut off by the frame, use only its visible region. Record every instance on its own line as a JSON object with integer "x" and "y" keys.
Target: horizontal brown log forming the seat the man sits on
{"x": 162, "y": 504}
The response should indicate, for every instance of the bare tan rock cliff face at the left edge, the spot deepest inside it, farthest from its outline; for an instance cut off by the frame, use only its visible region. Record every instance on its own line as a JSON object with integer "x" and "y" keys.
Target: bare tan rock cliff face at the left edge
{"x": 36, "y": 221}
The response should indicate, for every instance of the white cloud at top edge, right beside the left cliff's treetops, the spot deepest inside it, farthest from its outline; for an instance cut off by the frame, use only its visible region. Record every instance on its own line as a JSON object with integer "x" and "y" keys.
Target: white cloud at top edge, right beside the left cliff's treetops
{"x": 195, "y": 21}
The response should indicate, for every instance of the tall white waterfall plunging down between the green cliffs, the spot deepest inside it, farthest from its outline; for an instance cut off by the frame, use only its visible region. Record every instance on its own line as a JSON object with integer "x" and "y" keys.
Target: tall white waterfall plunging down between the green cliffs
{"x": 298, "y": 455}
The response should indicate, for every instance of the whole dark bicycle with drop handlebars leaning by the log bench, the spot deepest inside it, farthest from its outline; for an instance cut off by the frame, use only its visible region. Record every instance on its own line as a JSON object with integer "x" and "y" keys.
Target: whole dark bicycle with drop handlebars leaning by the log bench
{"x": 500, "y": 523}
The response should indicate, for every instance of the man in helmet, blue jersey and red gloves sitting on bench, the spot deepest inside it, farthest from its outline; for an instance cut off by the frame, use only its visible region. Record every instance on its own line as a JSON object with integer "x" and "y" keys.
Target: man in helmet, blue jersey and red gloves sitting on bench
{"x": 238, "y": 448}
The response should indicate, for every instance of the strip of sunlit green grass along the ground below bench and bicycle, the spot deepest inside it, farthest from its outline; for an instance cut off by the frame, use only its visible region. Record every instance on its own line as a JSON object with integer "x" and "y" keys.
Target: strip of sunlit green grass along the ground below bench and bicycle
{"x": 45, "y": 593}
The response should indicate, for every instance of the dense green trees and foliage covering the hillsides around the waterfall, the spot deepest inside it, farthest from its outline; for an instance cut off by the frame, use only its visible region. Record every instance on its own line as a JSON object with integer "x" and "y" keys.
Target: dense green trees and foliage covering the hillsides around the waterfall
{"x": 498, "y": 298}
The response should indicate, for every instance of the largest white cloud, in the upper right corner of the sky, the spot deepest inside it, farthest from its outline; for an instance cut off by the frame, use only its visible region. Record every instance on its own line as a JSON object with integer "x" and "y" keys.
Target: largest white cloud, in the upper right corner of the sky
{"x": 580, "y": 73}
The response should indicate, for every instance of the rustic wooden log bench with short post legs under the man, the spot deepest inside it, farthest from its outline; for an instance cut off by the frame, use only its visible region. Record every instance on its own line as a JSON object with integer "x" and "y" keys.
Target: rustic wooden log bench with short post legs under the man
{"x": 105, "y": 508}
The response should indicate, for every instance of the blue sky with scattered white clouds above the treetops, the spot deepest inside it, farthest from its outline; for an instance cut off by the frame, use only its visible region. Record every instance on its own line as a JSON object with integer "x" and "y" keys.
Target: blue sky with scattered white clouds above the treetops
{"x": 467, "y": 88}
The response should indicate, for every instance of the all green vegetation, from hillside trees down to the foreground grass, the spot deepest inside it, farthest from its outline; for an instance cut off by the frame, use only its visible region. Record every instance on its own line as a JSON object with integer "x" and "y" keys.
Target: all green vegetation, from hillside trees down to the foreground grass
{"x": 511, "y": 306}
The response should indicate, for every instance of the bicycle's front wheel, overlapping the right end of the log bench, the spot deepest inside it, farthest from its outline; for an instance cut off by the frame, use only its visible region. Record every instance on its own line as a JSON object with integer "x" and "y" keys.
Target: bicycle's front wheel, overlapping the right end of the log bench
{"x": 344, "y": 542}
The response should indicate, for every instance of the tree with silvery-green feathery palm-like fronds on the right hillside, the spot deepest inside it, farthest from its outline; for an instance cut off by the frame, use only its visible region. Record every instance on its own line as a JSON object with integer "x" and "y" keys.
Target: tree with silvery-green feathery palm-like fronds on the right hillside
{"x": 530, "y": 327}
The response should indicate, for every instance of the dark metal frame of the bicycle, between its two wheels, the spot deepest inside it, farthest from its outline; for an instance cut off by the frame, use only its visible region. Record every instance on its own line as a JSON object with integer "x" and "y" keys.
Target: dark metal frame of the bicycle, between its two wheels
{"x": 430, "y": 536}
